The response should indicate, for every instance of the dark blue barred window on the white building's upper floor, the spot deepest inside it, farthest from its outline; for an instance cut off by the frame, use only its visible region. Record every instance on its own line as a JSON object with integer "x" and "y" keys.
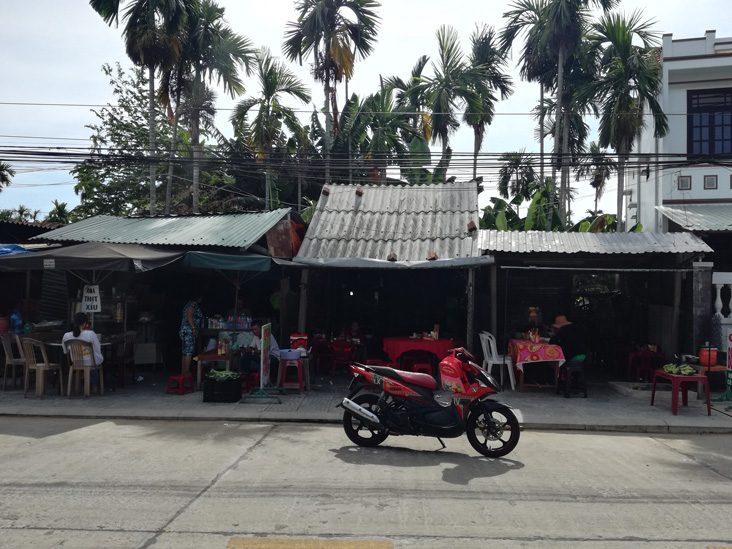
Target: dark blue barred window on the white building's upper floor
{"x": 709, "y": 122}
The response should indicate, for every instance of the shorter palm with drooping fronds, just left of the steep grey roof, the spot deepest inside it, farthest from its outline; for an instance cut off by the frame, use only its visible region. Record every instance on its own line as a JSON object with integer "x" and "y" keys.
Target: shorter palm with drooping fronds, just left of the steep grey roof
{"x": 265, "y": 129}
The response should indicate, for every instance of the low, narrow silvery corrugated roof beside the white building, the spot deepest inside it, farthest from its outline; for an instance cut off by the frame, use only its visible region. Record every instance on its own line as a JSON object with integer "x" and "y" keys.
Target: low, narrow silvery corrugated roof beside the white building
{"x": 492, "y": 241}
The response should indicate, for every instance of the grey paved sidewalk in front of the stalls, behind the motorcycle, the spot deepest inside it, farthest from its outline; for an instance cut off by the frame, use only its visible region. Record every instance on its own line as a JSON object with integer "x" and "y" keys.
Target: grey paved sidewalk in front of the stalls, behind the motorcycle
{"x": 610, "y": 407}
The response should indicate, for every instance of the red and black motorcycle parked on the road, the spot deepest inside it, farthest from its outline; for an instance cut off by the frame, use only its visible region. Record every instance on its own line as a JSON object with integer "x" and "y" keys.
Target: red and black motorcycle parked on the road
{"x": 383, "y": 401}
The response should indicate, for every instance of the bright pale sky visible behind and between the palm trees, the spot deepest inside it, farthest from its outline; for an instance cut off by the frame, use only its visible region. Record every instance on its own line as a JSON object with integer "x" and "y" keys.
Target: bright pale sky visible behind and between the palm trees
{"x": 52, "y": 51}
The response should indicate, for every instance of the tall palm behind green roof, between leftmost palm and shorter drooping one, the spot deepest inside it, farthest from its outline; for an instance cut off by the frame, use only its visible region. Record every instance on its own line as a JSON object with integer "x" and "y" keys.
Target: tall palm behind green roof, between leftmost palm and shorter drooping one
{"x": 214, "y": 51}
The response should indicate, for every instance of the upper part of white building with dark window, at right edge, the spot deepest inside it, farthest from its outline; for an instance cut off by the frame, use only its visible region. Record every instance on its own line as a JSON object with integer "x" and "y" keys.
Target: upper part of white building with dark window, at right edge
{"x": 680, "y": 182}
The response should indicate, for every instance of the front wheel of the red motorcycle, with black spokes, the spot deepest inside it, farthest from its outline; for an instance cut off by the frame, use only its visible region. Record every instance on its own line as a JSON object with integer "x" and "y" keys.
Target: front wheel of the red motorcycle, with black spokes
{"x": 493, "y": 433}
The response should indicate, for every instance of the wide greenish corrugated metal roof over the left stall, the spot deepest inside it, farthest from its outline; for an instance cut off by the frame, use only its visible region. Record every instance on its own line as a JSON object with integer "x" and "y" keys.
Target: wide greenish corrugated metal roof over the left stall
{"x": 230, "y": 230}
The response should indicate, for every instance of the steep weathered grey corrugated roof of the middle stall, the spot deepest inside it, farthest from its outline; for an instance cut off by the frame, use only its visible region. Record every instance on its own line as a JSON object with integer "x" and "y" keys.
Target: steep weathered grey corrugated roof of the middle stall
{"x": 410, "y": 221}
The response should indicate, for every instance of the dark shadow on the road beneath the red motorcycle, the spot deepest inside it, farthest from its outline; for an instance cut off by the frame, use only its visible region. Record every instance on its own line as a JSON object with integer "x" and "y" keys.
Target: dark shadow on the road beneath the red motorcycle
{"x": 465, "y": 468}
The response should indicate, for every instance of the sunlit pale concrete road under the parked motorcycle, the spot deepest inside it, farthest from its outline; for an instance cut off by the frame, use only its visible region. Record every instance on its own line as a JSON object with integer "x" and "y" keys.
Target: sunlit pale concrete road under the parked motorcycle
{"x": 83, "y": 483}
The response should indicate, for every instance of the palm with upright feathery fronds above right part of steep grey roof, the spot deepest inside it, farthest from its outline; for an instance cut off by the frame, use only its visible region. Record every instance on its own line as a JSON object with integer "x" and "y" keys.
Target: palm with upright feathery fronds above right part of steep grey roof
{"x": 454, "y": 85}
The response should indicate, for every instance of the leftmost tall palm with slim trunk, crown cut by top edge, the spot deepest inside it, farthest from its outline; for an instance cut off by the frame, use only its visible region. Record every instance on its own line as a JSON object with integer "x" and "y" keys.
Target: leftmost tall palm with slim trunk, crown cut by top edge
{"x": 153, "y": 39}
